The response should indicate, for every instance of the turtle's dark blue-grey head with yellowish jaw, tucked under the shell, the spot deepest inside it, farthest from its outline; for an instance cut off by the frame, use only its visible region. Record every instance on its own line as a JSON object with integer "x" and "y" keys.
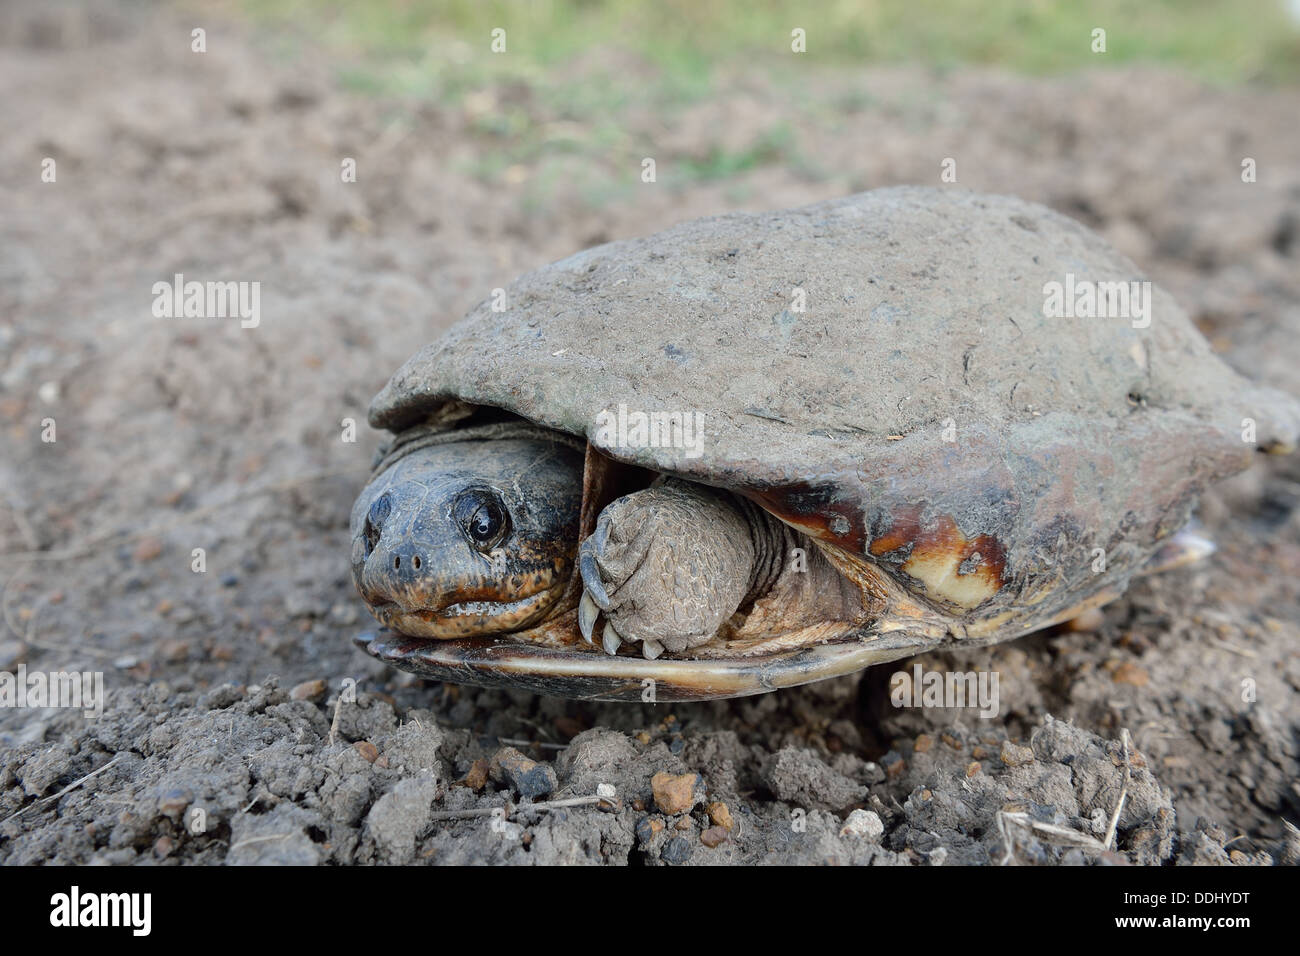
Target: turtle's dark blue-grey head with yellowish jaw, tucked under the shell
{"x": 469, "y": 539}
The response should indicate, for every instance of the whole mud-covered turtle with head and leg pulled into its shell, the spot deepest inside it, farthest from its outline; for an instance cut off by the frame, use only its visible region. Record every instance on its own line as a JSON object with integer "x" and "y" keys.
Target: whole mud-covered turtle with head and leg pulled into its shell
{"x": 762, "y": 449}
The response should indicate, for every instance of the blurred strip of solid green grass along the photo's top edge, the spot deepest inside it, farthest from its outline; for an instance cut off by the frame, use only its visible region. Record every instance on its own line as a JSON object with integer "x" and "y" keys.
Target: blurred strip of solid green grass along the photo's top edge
{"x": 1228, "y": 41}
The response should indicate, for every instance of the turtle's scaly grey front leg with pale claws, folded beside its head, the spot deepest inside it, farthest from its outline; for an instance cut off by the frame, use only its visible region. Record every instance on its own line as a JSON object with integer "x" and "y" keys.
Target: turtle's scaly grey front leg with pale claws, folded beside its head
{"x": 669, "y": 565}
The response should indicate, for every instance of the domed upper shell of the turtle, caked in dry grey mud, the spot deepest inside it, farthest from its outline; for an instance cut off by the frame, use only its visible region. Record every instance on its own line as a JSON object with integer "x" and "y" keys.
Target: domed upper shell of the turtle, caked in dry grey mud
{"x": 881, "y": 373}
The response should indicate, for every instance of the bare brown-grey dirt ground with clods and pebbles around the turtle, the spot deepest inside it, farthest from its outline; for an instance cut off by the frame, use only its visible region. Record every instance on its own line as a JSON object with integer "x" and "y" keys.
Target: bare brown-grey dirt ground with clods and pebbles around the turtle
{"x": 224, "y": 738}
